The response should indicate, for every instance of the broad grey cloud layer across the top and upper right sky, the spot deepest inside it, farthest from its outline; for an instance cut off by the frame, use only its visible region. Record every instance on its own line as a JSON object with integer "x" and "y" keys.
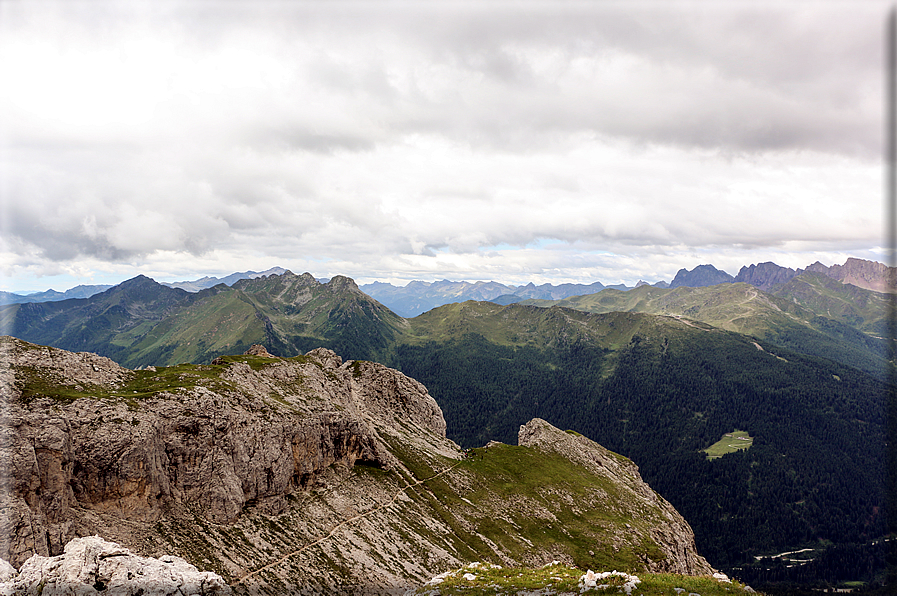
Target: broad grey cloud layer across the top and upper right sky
{"x": 740, "y": 77}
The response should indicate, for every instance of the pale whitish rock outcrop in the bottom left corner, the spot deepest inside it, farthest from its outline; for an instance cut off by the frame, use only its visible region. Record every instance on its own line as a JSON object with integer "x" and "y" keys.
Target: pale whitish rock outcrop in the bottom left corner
{"x": 92, "y": 565}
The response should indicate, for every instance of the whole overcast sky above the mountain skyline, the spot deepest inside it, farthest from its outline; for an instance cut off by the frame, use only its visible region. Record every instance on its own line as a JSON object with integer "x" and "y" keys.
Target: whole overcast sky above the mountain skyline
{"x": 517, "y": 141}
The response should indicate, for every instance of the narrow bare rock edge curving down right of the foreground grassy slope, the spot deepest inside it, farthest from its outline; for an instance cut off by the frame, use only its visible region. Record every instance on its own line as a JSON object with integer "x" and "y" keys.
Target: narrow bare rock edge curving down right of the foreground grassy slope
{"x": 666, "y": 526}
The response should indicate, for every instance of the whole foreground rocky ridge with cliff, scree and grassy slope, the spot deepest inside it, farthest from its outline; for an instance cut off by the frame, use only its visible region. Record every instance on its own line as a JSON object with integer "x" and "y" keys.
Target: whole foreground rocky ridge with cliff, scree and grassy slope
{"x": 275, "y": 474}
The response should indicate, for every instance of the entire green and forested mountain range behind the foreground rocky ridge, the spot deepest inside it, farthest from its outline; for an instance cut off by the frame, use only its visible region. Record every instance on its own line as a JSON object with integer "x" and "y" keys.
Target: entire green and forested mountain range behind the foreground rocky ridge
{"x": 655, "y": 374}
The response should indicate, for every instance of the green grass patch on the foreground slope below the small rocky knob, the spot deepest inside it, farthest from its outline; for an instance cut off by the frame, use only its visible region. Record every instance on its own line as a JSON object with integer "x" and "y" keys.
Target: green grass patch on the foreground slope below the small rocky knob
{"x": 559, "y": 506}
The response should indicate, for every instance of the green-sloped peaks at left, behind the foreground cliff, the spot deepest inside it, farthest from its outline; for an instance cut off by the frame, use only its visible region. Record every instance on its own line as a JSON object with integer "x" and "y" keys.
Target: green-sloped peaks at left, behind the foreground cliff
{"x": 141, "y": 322}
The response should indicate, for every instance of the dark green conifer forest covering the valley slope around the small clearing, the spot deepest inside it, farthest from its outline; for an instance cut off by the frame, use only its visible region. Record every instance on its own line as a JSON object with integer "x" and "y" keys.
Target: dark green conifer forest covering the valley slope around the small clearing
{"x": 813, "y": 477}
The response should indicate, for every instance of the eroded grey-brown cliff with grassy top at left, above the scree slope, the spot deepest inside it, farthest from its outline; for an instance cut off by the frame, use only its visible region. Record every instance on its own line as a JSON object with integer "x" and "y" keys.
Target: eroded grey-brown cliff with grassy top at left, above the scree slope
{"x": 214, "y": 439}
